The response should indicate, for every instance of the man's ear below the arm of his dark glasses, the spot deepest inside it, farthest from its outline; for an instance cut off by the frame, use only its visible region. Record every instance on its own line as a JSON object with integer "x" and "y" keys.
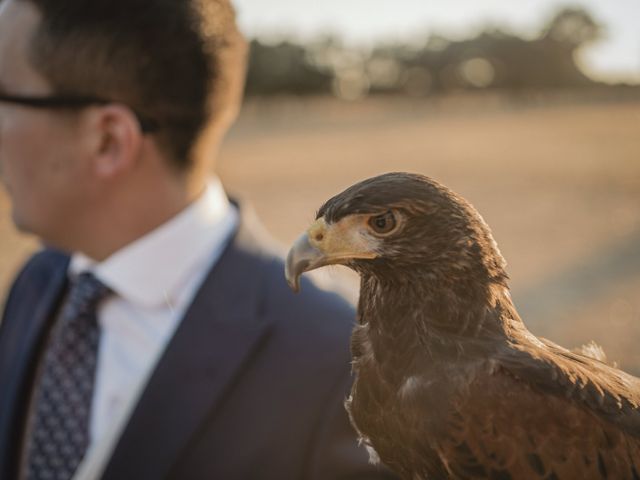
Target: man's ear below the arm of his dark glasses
{"x": 119, "y": 140}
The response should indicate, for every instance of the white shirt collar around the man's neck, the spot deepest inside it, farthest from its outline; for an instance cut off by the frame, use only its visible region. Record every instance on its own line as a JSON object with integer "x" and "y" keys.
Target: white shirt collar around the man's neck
{"x": 152, "y": 269}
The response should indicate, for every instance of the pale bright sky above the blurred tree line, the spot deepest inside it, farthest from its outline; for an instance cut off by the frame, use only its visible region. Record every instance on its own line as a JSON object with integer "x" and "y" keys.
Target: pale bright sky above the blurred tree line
{"x": 363, "y": 22}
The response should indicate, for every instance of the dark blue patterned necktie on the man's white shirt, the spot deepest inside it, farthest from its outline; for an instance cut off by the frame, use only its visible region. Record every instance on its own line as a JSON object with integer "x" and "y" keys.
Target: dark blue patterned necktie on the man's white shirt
{"x": 59, "y": 434}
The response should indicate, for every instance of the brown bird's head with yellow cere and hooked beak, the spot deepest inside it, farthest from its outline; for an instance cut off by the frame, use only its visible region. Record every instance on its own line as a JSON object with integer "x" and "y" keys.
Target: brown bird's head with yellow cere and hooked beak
{"x": 399, "y": 226}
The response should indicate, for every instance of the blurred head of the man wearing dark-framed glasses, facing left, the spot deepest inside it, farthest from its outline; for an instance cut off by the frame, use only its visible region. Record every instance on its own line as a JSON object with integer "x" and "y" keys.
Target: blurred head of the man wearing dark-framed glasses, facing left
{"x": 177, "y": 65}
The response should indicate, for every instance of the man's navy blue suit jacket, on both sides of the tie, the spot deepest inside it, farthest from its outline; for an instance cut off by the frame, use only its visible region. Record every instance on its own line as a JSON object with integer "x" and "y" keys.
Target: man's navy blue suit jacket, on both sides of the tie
{"x": 251, "y": 385}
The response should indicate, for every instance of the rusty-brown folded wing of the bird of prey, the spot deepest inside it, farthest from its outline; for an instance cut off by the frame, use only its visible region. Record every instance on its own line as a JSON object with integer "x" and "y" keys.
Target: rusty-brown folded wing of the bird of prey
{"x": 504, "y": 428}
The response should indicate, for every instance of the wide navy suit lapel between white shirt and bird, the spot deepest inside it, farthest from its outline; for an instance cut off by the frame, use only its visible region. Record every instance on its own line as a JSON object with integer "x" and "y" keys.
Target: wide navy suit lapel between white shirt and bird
{"x": 215, "y": 339}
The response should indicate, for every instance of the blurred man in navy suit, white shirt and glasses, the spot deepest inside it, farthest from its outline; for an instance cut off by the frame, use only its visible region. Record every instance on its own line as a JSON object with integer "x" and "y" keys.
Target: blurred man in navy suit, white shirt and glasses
{"x": 156, "y": 338}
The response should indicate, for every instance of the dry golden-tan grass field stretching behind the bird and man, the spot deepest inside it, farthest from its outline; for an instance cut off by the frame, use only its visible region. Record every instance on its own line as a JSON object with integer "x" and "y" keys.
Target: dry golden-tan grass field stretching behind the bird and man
{"x": 558, "y": 182}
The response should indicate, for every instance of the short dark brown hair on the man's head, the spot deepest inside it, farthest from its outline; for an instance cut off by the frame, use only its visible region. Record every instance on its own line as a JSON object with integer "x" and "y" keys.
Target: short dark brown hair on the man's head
{"x": 178, "y": 62}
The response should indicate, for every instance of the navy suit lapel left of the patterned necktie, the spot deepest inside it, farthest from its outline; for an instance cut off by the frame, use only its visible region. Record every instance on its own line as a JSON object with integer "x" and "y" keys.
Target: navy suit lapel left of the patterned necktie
{"x": 19, "y": 350}
